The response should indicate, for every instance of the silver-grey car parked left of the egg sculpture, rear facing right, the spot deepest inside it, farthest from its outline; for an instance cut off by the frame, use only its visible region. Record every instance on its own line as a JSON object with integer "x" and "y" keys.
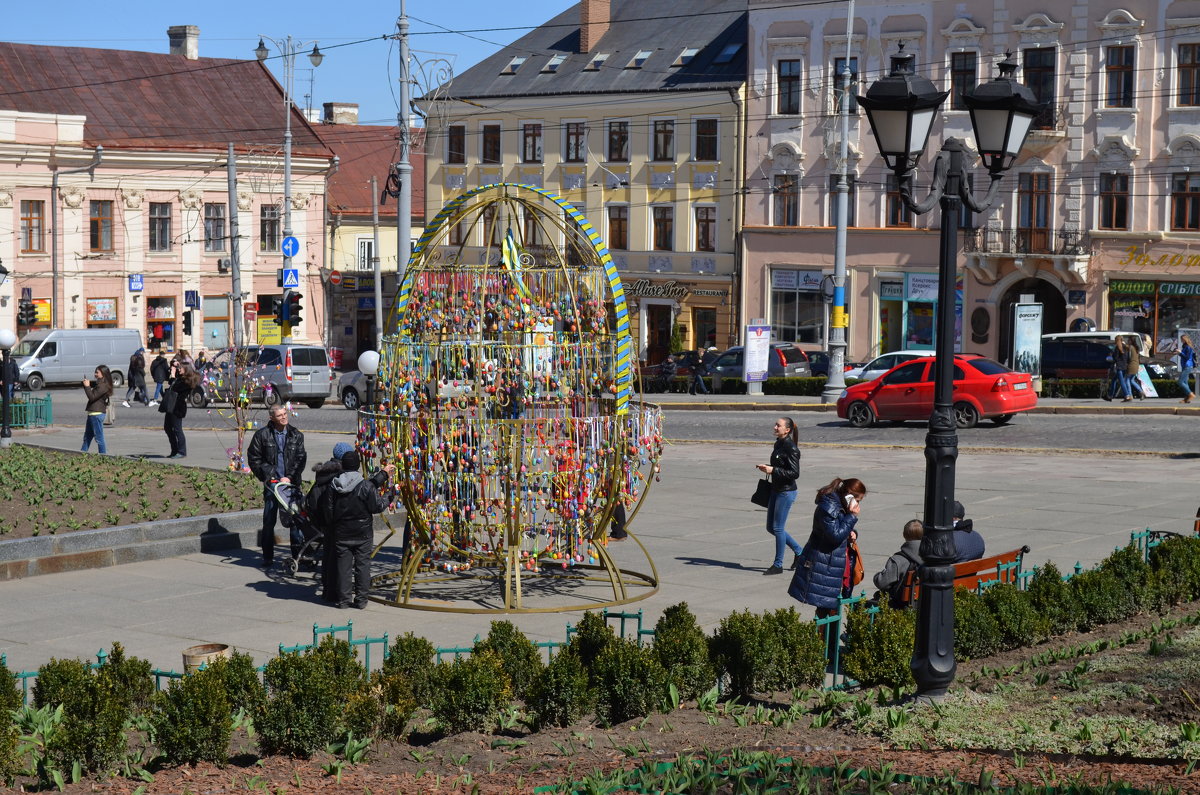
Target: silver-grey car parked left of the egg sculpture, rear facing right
{"x": 275, "y": 374}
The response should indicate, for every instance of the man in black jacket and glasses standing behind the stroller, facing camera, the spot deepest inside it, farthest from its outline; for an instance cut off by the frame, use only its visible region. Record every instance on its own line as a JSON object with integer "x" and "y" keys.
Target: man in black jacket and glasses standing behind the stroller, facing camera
{"x": 277, "y": 455}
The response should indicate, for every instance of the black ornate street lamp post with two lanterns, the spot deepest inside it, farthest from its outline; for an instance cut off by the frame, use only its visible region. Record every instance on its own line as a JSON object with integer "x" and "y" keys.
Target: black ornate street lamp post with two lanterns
{"x": 902, "y": 109}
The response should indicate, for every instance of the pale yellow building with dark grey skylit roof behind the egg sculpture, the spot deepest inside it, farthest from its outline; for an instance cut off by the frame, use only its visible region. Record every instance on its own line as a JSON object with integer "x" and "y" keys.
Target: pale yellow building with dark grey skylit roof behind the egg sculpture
{"x": 633, "y": 113}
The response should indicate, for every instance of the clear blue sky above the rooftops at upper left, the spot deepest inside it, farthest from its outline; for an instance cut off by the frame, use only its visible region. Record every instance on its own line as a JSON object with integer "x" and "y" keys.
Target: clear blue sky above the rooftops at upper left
{"x": 352, "y": 73}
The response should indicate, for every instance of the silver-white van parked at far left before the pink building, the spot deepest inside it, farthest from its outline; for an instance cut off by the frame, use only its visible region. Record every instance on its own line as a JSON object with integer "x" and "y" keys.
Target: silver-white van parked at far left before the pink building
{"x": 69, "y": 356}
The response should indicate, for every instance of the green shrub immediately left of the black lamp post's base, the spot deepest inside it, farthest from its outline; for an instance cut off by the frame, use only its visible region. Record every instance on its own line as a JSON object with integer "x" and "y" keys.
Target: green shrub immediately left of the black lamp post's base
{"x": 879, "y": 650}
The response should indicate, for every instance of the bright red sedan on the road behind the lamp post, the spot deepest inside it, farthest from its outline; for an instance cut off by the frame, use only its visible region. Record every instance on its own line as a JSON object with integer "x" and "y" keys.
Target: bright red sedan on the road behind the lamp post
{"x": 982, "y": 390}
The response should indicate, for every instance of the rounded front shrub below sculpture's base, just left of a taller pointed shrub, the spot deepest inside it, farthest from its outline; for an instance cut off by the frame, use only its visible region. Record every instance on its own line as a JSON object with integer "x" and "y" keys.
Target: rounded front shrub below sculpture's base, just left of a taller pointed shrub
{"x": 629, "y": 683}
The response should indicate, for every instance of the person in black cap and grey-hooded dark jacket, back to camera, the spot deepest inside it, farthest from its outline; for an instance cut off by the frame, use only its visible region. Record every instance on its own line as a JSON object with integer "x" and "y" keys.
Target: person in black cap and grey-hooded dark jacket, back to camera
{"x": 347, "y": 506}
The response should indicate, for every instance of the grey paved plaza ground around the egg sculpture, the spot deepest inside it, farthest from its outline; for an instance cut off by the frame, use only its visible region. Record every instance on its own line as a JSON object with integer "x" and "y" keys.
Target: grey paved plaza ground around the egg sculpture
{"x": 706, "y": 539}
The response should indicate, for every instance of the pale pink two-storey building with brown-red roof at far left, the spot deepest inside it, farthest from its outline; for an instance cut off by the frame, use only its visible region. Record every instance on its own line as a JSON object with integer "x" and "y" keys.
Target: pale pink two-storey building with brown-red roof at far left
{"x": 146, "y": 235}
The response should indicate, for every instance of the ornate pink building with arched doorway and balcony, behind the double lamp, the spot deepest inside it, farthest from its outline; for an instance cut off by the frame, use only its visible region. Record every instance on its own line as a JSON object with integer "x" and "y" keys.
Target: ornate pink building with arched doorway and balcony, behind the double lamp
{"x": 1099, "y": 218}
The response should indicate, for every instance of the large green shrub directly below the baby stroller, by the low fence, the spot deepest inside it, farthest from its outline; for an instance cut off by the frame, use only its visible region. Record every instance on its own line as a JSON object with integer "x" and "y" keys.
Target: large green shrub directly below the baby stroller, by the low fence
{"x": 301, "y": 714}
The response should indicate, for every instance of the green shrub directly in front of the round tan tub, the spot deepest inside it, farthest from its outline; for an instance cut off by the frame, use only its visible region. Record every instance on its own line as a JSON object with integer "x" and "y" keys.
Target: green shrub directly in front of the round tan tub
{"x": 191, "y": 720}
